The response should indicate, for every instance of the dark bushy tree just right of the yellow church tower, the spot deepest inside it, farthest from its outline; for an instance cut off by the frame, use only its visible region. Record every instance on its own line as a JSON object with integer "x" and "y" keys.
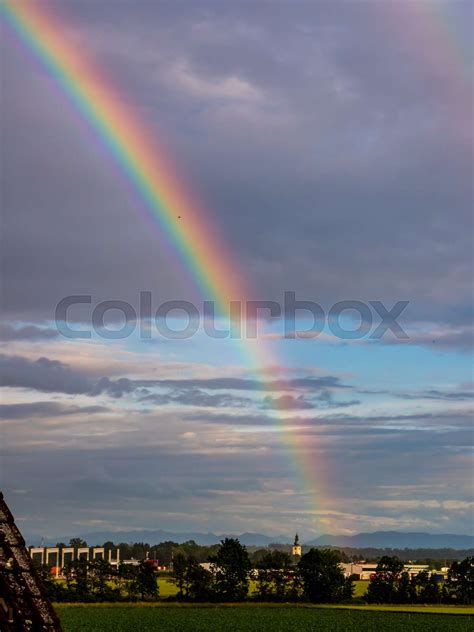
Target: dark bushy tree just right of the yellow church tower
{"x": 322, "y": 577}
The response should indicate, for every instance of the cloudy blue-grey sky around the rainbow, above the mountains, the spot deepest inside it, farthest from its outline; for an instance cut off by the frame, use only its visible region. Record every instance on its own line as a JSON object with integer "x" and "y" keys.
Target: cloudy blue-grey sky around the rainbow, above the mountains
{"x": 330, "y": 144}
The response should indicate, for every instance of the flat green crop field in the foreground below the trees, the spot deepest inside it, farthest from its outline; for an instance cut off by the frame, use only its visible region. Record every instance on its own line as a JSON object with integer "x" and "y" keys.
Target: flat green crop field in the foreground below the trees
{"x": 251, "y": 618}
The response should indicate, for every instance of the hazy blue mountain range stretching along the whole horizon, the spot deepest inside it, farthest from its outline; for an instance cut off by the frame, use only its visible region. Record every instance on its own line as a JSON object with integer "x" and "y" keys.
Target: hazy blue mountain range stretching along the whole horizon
{"x": 377, "y": 539}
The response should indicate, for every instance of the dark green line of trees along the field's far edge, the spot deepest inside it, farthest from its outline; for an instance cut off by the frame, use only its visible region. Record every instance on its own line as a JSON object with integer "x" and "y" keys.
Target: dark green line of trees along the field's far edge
{"x": 315, "y": 577}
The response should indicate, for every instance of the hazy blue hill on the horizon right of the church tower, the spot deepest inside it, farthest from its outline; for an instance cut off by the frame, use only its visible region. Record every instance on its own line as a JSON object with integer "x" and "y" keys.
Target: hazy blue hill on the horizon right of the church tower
{"x": 396, "y": 540}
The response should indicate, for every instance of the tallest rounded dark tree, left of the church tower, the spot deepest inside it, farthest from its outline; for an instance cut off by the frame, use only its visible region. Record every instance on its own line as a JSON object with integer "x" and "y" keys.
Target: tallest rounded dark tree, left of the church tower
{"x": 231, "y": 566}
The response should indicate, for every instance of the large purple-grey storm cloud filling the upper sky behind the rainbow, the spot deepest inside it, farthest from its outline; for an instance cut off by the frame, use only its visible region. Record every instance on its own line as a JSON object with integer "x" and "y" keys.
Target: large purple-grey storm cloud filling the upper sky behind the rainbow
{"x": 357, "y": 160}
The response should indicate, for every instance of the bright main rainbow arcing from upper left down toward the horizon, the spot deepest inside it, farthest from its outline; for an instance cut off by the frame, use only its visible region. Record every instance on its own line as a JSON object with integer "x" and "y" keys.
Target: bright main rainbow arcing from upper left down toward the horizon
{"x": 163, "y": 194}
